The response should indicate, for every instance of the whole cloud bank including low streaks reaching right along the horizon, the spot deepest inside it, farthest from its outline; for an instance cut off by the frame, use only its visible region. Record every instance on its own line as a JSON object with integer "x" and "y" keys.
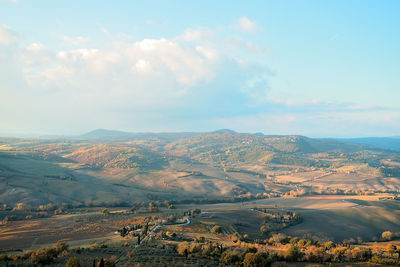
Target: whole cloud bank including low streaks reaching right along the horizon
{"x": 202, "y": 79}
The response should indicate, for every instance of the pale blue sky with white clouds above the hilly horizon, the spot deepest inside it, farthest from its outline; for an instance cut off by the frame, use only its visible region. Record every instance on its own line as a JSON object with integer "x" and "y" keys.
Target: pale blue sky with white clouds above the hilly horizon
{"x": 314, "y": 68}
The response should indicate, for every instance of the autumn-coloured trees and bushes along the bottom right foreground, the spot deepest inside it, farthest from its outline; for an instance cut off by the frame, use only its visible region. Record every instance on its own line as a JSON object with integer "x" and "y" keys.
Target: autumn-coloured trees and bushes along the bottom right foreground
{"x": 291, "y": 249}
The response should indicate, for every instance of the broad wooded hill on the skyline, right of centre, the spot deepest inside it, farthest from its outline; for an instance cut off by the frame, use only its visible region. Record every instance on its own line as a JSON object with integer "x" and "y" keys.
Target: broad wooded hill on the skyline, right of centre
{"x": 248, "y": 148}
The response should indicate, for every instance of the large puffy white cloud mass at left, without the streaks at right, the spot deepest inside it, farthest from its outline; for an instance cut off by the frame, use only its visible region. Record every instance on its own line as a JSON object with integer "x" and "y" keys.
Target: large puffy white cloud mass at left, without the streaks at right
{"x": 145, "y": 83}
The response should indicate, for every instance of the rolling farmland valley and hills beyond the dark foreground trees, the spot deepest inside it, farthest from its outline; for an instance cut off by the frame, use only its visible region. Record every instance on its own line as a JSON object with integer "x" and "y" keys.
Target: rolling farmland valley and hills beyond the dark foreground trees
{"x": 249, "y": 190}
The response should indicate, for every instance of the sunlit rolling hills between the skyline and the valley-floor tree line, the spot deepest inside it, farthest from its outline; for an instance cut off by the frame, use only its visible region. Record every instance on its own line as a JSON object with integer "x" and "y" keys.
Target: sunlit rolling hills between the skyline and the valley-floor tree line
{"x": 120, "y": 166}
